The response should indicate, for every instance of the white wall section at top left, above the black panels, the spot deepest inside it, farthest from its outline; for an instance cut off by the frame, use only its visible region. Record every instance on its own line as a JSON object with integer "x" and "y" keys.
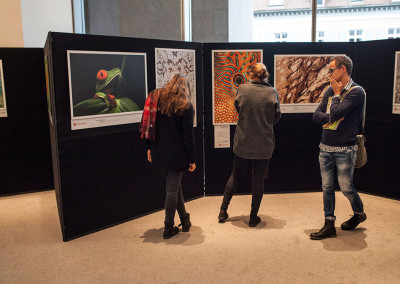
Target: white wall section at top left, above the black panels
{"x": 41, "y": 16}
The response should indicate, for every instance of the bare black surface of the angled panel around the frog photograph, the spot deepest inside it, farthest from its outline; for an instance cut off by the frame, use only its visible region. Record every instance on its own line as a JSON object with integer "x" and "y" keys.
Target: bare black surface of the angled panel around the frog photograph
{"x": 102, "y": 174}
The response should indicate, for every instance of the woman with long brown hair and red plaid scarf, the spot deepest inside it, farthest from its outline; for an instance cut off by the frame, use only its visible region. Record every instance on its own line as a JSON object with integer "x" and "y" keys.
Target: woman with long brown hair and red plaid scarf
{"x": 170, "y": 144}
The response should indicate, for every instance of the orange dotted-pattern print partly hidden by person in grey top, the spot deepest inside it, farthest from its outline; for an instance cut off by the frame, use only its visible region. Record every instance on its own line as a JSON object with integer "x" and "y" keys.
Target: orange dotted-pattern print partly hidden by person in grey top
{"x": 231, "y": 68}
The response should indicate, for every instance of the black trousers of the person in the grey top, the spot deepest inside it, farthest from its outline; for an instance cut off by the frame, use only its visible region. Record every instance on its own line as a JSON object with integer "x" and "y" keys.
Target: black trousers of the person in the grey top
{"x": 240, "y": 166}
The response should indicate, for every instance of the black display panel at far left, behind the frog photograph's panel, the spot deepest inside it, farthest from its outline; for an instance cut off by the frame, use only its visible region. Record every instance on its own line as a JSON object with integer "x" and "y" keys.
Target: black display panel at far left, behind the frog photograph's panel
{"x": 25, "y": 143}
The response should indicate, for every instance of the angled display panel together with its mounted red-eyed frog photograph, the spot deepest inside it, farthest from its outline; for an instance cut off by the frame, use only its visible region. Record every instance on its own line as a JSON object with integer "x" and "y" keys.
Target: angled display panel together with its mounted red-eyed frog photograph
{"x": 98, "y": 88}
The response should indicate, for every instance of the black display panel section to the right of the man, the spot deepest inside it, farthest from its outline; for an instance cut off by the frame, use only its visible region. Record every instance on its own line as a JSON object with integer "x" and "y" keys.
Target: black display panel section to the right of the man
{"x": 375, "y": 71}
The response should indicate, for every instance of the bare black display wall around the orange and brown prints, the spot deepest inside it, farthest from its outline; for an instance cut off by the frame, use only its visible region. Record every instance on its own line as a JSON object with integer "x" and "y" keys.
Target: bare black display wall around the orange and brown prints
{"x": 294, "y": 166}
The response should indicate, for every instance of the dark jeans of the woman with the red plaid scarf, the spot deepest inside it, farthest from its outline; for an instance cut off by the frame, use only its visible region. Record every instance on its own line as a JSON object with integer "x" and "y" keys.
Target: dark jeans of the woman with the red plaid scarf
{"x": 174, "y": 197}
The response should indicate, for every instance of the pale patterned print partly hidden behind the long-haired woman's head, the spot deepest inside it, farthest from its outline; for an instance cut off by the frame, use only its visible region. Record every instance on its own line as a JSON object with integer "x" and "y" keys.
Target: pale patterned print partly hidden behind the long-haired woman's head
{"x": 172, "y": 61}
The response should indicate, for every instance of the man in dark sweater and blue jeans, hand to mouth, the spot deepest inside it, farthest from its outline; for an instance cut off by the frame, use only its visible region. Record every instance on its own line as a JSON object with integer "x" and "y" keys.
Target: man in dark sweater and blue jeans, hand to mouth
{"x": 340, "y": 113}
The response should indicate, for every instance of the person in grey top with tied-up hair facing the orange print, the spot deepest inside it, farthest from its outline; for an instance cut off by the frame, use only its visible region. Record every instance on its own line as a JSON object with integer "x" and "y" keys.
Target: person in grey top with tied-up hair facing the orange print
{"x": 258, "y": 106}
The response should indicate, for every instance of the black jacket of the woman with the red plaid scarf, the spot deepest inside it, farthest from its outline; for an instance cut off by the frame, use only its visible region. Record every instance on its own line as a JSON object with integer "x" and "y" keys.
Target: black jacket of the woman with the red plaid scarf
{"x": 173, "y": 147}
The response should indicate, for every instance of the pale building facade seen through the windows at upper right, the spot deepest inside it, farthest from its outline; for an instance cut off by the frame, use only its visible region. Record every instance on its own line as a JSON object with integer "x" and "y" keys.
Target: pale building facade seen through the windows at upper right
{"x": 373, "y": 17}
